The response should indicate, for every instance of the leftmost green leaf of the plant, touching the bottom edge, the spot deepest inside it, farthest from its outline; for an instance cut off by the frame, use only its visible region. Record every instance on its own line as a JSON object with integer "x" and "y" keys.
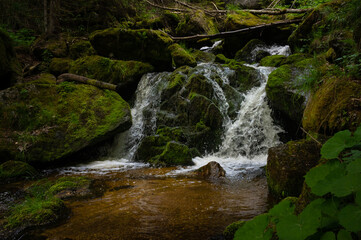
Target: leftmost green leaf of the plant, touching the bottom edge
{"x": 257, "y": 228}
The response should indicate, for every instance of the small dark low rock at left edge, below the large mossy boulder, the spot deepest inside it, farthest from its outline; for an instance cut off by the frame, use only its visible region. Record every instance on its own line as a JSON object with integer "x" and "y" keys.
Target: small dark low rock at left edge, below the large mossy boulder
{"x": 13, "y": 170}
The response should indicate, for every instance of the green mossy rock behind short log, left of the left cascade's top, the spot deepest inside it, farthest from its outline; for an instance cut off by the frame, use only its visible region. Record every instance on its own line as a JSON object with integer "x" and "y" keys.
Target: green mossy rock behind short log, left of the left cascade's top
{"x": 125, "y": 74}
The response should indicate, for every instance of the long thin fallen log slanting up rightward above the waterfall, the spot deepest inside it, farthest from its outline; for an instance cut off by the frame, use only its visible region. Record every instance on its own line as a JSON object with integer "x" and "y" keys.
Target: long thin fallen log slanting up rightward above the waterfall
{"x": 235, "y": 32}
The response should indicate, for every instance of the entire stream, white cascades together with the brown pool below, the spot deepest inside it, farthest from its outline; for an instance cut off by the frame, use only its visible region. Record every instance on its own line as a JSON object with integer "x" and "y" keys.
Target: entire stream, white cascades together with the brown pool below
{"x": 142, "y": 202}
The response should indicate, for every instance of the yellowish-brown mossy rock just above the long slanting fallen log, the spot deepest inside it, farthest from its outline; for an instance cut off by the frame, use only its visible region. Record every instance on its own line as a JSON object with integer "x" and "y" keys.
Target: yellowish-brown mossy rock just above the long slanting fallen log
{"x": 196, "y": 23}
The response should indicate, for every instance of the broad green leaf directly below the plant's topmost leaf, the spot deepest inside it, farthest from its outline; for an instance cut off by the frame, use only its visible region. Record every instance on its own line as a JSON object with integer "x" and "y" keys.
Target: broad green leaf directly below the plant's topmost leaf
{"x": 321, "y": 178}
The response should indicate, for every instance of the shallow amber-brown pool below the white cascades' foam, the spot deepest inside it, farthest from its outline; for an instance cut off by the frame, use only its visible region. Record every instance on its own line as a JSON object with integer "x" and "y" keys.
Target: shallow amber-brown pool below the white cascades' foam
{"x": 147, "y": 203}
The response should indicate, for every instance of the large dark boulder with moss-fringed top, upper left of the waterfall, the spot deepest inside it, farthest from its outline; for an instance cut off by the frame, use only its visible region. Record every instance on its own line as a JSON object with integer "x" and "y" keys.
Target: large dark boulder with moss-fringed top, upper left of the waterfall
{"x": 142, "y": 45}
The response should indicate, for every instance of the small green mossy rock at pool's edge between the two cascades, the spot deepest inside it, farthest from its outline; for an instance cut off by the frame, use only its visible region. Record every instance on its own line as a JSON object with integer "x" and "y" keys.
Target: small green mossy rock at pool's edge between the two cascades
{"x": 174, "y": 154}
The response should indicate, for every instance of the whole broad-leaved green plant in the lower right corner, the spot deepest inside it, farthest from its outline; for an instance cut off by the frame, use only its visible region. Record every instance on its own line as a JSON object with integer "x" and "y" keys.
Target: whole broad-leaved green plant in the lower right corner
{"x": 337, "y": 210}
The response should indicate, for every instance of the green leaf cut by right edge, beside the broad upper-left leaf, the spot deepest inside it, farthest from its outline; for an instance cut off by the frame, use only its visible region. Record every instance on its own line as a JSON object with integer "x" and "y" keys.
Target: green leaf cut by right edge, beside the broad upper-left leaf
{"x": 346, "y": 185}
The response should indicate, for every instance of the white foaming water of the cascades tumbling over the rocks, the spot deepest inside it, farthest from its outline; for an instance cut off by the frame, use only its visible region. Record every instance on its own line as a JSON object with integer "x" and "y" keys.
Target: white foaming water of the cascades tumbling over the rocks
{"x": 246, "y": 139}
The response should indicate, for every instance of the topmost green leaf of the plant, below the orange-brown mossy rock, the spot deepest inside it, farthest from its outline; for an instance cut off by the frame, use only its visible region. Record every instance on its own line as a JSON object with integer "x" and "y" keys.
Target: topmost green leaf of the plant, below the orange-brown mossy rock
{"x": 335, "y": 145}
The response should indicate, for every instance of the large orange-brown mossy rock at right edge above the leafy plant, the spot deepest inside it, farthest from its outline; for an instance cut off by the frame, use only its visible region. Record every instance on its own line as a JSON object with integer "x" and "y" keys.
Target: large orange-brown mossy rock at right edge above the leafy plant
{"x": 333, "y": 107}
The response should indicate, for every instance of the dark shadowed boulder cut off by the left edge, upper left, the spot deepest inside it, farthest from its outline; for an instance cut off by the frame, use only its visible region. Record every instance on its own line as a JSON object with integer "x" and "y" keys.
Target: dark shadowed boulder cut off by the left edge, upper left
{"x": 9, "y": 66}
